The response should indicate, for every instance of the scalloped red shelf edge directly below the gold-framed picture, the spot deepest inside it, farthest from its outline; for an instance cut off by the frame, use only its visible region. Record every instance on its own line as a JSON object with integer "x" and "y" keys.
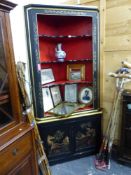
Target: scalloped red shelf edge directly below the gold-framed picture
{"x": 65, "y": 82}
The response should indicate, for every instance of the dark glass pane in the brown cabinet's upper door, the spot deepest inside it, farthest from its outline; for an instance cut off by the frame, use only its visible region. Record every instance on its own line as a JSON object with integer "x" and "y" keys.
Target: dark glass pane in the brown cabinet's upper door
{"x": 5, "y": 105}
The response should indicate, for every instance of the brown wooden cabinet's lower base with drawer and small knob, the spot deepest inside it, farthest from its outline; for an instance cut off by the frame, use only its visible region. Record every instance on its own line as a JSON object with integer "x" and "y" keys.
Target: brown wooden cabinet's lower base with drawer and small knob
{"x": 17, "y": 151}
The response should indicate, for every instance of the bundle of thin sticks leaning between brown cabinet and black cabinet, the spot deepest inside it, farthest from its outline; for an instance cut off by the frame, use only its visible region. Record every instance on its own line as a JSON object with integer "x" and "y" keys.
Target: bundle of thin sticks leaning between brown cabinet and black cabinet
{"x": 42, "y": 159}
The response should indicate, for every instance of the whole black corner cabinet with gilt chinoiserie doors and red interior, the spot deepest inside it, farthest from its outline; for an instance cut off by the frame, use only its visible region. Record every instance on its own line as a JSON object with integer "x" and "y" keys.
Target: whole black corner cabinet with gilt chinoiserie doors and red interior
{"x": 63, "y": 47}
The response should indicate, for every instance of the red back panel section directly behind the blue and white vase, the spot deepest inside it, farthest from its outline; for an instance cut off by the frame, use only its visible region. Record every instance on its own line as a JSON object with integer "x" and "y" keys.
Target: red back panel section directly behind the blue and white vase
{"x": 76, "y": 49}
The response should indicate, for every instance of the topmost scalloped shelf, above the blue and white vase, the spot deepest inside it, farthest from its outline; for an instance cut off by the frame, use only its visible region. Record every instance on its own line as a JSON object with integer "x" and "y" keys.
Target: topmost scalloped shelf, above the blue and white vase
{"x": 64, "y": 36}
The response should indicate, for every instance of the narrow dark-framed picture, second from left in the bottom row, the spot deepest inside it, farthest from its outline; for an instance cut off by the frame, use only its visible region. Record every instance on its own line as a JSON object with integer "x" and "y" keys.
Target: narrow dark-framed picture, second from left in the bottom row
{"x": 56, "y": 95}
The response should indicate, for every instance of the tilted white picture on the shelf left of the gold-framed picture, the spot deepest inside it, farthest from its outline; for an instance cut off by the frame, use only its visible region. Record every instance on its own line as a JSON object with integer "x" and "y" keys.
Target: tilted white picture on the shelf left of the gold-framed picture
{"x": 47, "y": 76}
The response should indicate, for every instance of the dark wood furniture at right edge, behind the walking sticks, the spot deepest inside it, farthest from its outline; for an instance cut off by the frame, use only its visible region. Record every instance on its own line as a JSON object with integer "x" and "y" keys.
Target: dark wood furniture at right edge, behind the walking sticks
{"x": 125, "y": 139}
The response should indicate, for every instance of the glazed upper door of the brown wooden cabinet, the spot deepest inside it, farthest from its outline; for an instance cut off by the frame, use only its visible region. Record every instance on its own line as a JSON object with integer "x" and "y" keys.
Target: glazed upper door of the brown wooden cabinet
{"x": 9, "y": 98}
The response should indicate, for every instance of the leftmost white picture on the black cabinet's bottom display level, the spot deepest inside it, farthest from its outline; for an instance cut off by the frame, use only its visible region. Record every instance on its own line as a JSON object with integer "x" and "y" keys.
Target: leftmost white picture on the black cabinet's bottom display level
{"x": 47, "y": 100}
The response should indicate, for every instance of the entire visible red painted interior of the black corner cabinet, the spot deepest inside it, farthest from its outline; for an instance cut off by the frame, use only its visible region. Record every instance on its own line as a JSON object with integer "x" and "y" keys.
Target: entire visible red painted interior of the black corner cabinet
{"x": 76, "y": 48}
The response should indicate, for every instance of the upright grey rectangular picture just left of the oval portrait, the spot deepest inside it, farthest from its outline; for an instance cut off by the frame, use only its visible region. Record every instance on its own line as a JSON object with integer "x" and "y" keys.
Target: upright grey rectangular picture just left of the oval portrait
{"x": 71, "y": 92}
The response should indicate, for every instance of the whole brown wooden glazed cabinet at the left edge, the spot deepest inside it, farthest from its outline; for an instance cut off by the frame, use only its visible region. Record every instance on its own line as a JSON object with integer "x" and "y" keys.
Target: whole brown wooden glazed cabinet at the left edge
{"x": 17, "y": 144}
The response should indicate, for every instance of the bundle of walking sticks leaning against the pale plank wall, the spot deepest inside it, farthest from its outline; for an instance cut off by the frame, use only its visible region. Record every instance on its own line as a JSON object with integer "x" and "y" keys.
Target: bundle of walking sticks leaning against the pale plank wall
{"x": 103, "y": 157}
